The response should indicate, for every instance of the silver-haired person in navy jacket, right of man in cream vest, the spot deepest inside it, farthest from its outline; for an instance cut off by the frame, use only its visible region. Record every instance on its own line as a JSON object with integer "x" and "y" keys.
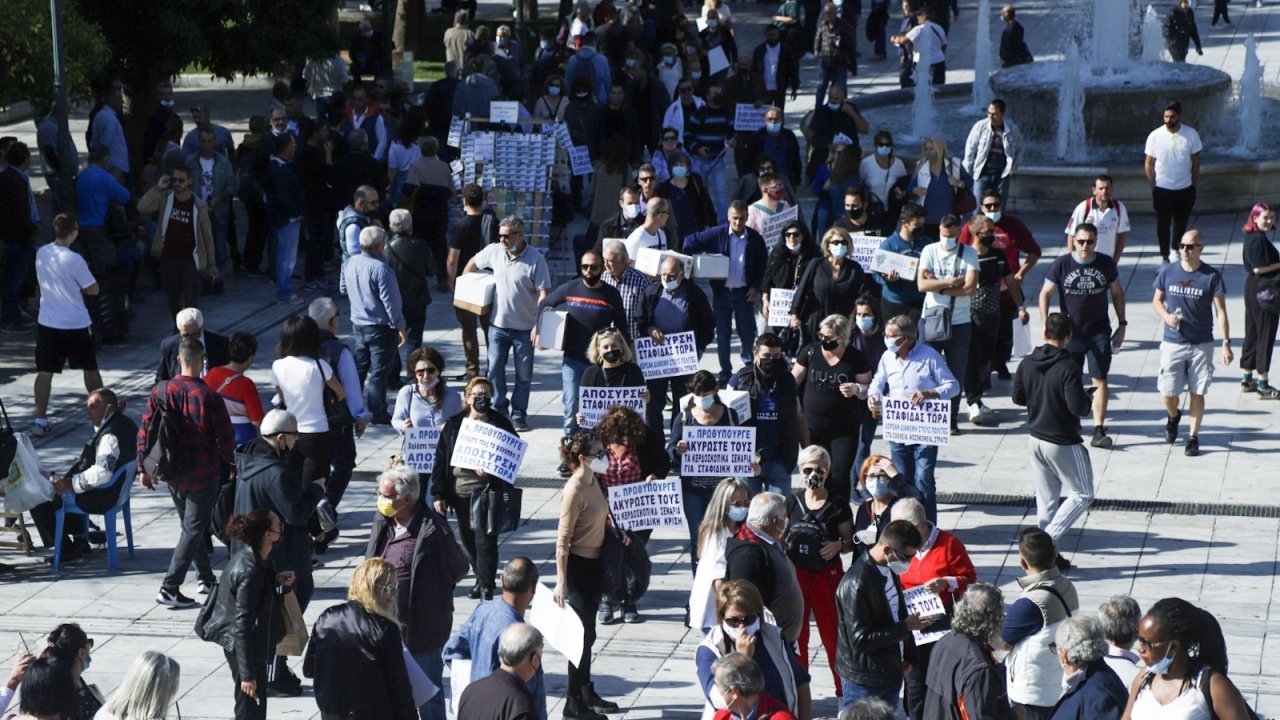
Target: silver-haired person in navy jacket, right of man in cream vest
{"x": 1094, "y": 691}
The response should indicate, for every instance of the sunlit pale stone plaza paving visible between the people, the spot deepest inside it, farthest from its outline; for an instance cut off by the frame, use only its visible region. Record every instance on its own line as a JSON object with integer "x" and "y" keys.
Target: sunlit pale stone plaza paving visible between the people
{"x": 1206, "y": 530}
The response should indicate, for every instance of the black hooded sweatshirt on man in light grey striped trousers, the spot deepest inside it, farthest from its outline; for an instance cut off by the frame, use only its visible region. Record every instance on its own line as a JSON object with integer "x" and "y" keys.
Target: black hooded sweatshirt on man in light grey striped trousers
{"x": 1049, "y": 385}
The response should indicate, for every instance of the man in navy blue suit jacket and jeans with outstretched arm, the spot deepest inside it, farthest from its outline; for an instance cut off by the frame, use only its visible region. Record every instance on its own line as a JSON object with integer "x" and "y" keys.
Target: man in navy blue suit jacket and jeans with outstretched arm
{"x": 735, "y": 297}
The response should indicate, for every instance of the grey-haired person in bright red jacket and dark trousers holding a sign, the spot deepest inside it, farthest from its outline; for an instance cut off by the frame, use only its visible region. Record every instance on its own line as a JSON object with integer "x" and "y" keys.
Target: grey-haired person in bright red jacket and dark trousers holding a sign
{"x": 943, "y": 566}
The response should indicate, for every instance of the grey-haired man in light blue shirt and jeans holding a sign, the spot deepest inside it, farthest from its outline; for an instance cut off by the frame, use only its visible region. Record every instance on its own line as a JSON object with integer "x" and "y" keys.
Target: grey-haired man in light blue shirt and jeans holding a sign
{"x": 915, "y": 372}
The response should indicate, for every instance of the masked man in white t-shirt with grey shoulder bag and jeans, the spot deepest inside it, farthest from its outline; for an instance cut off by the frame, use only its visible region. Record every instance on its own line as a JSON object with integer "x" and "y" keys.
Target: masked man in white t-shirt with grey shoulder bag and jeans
{"x": 949, "y": 277}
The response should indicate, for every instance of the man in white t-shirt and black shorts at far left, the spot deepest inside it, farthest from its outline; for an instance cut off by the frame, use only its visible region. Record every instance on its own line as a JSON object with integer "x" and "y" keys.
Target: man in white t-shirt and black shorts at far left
{"x": 63, "y": 334}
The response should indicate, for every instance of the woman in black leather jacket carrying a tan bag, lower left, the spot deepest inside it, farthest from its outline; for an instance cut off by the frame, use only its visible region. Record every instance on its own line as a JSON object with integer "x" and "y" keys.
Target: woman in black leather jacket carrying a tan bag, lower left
{"x": 245, "y": 618}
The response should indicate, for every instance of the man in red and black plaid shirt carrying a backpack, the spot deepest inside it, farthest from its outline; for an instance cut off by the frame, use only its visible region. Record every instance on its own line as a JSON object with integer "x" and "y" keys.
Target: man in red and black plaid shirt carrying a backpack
{"x": 208, "y": 448}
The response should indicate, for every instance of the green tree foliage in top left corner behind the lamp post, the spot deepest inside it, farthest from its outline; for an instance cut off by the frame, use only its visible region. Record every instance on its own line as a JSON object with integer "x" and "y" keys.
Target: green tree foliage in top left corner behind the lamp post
{"x": 28, "y": 52}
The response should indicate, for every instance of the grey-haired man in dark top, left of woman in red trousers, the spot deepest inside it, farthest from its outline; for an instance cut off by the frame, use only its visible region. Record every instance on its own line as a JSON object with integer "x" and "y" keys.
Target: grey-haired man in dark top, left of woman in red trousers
{"x": 758, "y": 555}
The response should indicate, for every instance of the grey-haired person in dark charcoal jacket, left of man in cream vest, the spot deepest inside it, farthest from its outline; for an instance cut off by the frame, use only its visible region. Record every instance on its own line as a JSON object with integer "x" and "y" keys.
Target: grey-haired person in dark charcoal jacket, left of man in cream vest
{"x": 963, "y": 675}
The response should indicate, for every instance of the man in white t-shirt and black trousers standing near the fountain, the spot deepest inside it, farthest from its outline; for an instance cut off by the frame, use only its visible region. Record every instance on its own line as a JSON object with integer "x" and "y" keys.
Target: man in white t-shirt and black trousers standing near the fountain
{"x": 1173, "y": 171}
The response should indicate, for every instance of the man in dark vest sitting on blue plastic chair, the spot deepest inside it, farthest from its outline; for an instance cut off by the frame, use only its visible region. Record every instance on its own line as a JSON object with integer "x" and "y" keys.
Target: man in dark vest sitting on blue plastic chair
{"x": 112, "y": 448}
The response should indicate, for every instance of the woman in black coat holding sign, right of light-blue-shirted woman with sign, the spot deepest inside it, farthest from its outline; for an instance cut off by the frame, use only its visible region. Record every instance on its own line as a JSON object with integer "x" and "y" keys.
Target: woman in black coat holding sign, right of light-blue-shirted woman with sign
{"x": 455, "y": 487}
